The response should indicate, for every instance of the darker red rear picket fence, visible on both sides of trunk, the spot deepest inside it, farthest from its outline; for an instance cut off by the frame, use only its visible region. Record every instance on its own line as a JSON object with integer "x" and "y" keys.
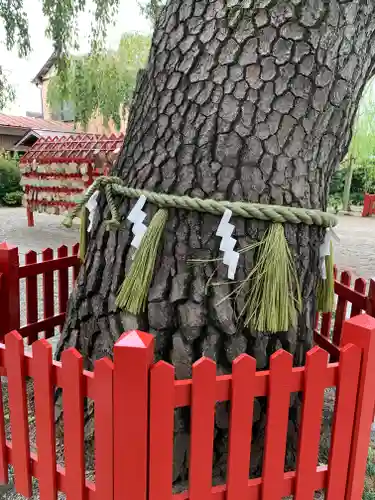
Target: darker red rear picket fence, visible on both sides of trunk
{"x": 55, "y": 293}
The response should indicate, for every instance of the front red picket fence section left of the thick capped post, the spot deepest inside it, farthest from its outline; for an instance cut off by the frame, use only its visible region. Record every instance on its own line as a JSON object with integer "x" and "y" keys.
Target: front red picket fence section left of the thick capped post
{"x": 38, "y": 459}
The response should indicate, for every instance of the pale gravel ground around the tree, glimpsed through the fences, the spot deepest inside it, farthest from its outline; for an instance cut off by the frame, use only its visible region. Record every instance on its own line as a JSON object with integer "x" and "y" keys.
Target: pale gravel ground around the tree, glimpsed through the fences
{"x": 355, "y": 252}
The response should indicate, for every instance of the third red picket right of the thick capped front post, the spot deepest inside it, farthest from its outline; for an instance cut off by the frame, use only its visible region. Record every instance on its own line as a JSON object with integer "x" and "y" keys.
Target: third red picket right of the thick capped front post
{"x": 240, "y": 429}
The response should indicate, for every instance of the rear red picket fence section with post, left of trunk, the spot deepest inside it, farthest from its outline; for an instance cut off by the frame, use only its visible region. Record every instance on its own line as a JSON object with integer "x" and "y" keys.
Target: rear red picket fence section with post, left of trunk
{"x": 41, "y": 311}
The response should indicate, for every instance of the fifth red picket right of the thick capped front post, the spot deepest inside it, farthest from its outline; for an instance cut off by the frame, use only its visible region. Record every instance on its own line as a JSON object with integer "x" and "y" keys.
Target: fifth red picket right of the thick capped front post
{"x": 307, "y": 458}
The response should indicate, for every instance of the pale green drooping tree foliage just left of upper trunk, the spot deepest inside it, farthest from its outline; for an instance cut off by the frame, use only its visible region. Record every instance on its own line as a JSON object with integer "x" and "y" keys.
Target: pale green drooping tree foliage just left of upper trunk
{"x": 102, "y": 82}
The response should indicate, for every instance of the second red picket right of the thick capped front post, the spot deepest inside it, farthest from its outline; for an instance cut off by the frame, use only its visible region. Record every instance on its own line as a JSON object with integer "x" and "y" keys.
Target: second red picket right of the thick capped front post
{"x": 202, "y": 429}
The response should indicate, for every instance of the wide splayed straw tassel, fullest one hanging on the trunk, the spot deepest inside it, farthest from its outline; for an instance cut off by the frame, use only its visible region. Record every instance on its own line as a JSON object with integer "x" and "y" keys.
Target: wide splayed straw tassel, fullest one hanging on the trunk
{"x": 274, "y": 297}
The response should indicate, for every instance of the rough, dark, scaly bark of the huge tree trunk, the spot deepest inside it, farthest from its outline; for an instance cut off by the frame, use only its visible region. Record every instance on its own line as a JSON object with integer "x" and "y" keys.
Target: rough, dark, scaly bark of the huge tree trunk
{"x": 249, "y": 100}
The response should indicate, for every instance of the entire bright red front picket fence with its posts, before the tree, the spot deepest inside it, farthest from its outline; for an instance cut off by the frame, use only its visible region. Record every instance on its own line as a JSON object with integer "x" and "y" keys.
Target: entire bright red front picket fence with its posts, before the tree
{"x": 134, "y": 449}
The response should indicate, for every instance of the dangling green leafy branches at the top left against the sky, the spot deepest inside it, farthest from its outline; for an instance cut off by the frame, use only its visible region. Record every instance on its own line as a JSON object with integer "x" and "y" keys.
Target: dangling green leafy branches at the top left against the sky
{"x": 62, "y": 17}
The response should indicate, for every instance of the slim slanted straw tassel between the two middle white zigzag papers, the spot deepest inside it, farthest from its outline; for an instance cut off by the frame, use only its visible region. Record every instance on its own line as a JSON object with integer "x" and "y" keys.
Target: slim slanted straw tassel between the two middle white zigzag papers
{"x": 133, "y": 294}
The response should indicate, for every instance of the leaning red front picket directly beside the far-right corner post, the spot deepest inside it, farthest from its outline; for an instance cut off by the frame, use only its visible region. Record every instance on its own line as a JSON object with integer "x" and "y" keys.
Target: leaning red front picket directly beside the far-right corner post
{"x": 346, "y": 397}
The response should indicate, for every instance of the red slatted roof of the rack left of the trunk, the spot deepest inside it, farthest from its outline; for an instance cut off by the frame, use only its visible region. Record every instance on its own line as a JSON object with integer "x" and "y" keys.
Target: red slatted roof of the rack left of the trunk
{"x": 72, "y": 148}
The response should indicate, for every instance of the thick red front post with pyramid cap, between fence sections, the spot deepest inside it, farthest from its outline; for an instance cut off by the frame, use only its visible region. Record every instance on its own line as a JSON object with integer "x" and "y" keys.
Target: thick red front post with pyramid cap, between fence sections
{"x": 133, "y": 355}
